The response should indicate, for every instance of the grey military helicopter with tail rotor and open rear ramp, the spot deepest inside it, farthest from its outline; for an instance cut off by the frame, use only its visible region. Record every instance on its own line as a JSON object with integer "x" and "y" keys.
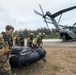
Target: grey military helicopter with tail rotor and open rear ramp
{"x": 66, "y": 32}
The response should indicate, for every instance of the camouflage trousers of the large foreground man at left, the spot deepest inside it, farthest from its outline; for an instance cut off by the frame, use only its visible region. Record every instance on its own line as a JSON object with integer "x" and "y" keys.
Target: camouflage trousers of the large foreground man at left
{"x": 5, "y": 68}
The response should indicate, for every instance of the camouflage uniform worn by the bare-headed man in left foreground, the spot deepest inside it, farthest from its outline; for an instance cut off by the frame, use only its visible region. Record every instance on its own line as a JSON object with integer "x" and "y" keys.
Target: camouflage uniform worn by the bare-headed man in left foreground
{"x": 5, "y": 68}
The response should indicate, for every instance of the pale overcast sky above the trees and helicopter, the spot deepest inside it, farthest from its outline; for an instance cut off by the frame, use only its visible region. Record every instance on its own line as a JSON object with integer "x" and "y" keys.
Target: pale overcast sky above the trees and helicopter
{"x": 20, "y": 13}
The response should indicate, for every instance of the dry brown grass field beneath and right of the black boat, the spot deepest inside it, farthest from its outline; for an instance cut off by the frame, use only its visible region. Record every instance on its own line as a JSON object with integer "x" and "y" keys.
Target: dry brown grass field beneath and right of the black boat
{"x": 61, "y": 60}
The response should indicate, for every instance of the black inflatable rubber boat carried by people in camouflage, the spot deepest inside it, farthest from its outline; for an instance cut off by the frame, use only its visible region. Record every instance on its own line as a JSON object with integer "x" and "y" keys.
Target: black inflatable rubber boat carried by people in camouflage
{"x": 24, "y": 56}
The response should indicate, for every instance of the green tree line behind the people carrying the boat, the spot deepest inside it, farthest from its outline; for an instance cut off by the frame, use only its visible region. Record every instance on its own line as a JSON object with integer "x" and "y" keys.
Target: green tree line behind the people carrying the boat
{"x": 49, "y": 33}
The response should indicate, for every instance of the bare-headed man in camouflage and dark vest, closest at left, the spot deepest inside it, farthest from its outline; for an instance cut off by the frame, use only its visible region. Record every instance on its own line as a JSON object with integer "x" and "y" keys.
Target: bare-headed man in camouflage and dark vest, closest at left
{"x": 5, "y": 41}
